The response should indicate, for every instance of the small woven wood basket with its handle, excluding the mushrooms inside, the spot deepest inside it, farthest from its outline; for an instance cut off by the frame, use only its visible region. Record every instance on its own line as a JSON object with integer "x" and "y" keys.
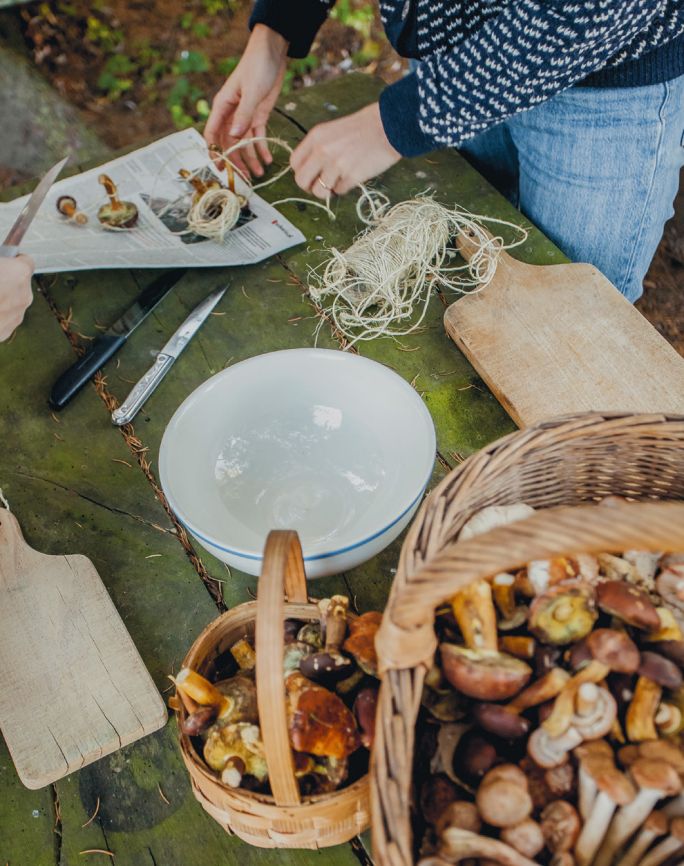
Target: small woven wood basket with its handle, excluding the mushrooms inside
{"x": 284, "y": 820}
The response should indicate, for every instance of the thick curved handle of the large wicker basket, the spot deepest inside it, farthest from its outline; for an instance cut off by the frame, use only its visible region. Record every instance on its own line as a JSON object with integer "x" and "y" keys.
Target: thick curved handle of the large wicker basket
{"x": 406, "y": 637}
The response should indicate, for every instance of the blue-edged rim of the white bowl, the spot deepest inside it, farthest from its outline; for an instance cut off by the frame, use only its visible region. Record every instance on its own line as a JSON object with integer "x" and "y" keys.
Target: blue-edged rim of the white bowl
{"x": 320, "y": 556}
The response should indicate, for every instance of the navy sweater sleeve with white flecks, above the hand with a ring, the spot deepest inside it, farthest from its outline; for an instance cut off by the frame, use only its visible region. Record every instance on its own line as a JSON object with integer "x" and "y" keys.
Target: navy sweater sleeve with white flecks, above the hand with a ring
{"x": 523, "y": 55}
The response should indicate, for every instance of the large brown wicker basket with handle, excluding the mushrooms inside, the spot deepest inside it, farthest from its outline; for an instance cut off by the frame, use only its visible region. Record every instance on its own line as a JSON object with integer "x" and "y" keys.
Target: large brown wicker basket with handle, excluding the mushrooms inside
{"x": 561, "y": 463}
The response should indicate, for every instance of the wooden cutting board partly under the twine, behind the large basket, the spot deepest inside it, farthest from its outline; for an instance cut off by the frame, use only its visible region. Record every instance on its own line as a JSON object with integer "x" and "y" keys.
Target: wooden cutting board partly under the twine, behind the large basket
{"x": 560, "y": 339}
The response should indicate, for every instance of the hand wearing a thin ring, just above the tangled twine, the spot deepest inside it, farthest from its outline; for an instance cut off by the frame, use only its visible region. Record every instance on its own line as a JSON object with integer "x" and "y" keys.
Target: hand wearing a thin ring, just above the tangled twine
{"x": 338, "y": 155}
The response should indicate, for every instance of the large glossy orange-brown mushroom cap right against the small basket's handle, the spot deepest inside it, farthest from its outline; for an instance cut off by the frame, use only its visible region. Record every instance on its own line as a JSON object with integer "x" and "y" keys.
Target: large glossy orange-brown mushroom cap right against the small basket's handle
{"x": 319, "y": 722}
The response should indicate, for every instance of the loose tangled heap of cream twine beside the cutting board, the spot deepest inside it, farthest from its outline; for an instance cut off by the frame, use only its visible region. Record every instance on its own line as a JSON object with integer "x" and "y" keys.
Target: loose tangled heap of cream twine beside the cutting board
{"x": 374, "y": 287}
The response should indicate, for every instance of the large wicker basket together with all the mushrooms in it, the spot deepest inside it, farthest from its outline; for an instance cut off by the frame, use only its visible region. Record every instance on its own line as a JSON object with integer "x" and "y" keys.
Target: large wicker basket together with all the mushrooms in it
{"x": 531, "y": 655}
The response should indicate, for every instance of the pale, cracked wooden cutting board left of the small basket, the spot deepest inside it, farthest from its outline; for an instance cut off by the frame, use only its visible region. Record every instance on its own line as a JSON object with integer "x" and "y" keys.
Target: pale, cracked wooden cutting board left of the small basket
{"x": 72, "y": 685}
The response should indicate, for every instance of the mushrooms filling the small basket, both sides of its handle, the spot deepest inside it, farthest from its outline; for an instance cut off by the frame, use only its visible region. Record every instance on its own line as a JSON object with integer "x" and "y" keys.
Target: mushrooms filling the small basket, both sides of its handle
{"x": 330, "y": 676}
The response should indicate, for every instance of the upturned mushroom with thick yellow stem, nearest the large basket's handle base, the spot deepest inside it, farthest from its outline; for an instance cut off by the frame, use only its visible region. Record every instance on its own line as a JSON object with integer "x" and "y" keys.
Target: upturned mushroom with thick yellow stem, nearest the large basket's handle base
{"x": 478, "y": 669}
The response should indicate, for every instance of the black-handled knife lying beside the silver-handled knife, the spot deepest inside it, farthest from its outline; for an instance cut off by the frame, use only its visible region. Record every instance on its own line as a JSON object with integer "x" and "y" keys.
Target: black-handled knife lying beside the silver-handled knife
{"x": 107, "y": 344}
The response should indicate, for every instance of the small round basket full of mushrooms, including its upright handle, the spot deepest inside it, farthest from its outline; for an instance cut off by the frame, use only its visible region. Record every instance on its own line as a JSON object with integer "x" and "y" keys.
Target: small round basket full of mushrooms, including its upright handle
{"x": 276, "y": 705}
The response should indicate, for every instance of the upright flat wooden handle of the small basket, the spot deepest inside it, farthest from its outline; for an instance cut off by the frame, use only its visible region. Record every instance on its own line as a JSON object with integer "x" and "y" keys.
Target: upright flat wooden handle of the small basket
{"x": 282, "y": 573}
